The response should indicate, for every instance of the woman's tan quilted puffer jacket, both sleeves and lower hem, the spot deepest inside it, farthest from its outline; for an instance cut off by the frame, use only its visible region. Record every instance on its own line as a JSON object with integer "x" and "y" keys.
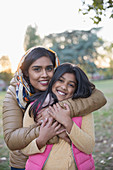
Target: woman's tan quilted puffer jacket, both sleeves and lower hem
{"x": 17, "y": 137}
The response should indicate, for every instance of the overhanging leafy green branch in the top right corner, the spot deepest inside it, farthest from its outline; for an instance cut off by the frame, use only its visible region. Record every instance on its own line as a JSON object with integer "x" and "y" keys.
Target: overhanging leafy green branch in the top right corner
{"x": 98, "y": 7}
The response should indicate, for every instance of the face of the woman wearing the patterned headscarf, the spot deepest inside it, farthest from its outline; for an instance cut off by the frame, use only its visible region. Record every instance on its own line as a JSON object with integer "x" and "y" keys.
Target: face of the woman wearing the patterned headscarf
{"x": 40, "y": 73}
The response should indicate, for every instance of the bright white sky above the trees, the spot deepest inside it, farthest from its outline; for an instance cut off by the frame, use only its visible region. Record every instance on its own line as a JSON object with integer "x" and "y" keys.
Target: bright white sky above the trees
{"x": 51, "y": 16}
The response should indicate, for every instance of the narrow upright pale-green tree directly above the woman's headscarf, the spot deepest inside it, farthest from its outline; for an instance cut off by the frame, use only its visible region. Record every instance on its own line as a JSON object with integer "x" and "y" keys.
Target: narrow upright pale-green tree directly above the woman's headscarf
{"x": 31, "y": 37}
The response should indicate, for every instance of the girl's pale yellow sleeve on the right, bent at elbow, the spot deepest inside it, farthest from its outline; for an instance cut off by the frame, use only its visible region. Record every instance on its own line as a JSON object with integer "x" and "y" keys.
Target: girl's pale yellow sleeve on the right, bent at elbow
{"x": 84, "y": 138}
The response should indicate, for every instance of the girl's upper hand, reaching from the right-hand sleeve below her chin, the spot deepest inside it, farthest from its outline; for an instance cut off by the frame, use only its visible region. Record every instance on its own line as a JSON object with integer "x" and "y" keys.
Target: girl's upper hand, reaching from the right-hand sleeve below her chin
{"x": 61, "y": 115}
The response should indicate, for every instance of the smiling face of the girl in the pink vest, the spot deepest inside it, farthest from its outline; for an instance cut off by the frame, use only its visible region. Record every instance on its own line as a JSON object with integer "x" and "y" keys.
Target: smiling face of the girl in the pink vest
{"x": 65, "y": 86}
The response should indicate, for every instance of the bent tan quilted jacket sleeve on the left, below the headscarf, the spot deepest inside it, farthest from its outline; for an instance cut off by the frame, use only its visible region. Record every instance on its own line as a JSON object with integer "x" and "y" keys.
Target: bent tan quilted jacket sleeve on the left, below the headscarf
{"x": 16, "y": 137}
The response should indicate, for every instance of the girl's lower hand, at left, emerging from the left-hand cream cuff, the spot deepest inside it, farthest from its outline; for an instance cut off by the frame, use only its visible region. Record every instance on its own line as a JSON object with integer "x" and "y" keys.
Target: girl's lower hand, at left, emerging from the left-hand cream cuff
{"x": 48, "y": 129}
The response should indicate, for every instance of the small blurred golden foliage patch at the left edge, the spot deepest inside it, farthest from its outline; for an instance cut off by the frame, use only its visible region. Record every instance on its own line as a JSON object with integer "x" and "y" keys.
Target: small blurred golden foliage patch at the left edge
{"x": 5, "y": 64}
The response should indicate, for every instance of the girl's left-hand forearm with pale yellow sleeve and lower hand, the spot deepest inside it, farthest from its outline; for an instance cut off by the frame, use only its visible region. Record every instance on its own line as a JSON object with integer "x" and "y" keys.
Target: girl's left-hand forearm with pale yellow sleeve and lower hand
{"x": 48, "y": 130}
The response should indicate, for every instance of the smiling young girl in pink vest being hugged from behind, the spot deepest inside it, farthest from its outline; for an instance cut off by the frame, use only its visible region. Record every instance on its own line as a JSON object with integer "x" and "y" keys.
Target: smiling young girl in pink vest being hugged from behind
{"x": 68, "y": 81}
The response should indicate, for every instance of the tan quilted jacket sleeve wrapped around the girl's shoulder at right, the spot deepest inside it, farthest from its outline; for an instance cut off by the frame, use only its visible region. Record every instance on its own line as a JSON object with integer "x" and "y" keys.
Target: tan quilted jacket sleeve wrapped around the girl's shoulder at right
{"x": 83, "y": 106}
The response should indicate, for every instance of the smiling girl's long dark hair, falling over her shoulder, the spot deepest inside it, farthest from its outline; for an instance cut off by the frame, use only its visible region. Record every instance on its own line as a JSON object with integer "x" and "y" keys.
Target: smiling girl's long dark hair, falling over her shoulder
{"x": 83, "y": 90}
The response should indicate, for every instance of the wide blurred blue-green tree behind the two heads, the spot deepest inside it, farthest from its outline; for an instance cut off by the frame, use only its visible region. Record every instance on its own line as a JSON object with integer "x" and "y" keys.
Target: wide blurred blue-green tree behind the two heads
{"x": 78, "y": 47}
